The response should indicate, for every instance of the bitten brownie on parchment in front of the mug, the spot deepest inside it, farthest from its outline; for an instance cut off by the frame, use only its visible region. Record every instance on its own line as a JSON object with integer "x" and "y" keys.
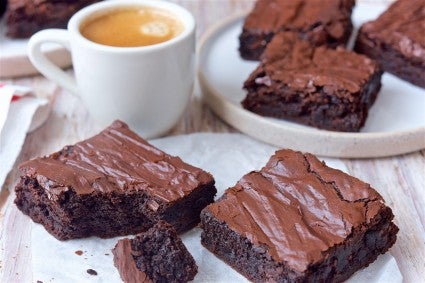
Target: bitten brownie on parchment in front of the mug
{"x": 114, "y": 183}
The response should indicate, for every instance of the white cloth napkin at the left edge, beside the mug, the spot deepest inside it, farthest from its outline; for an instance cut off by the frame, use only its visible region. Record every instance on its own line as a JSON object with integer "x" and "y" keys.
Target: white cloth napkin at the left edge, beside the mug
{"x": 20, "y": 113}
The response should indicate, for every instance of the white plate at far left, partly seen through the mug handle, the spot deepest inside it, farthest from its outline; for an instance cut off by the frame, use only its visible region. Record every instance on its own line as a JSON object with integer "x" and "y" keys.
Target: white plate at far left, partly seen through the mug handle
{"x": 14, "y": 61}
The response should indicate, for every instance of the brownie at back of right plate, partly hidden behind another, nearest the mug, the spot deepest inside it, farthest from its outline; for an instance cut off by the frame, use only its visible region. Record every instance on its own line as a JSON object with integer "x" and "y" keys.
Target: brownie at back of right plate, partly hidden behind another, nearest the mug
{"x": 323, "y": 22}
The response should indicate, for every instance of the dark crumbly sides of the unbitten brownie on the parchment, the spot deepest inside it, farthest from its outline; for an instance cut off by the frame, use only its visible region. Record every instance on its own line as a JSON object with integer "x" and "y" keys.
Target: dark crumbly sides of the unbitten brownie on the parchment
{"x": 254, "y": 263}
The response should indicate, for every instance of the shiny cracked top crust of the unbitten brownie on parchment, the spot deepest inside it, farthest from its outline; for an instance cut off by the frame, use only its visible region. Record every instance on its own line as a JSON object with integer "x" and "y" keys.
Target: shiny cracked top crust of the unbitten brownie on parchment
{"x": 296, "y": 207}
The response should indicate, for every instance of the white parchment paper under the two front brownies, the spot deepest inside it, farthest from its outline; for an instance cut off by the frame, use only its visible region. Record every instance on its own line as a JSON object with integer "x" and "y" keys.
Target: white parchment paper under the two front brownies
{"x": 228, "y": 157}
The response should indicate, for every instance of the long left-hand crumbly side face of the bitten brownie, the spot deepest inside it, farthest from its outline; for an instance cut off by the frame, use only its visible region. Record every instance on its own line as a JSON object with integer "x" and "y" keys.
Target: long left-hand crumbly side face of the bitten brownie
{"x": 73, "y": 216}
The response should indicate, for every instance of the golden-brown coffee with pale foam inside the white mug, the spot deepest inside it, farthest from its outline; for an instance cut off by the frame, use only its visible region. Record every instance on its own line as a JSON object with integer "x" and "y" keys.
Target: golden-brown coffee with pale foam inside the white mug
{"x": 132, "y": 27}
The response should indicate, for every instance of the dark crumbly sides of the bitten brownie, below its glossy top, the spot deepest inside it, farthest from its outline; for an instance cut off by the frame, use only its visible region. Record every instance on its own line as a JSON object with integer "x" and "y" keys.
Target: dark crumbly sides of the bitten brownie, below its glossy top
{"x": 83, "y": 216}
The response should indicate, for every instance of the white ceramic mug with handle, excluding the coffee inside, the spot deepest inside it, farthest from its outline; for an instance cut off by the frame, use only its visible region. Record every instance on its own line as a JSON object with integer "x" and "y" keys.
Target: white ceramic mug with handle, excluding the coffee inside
{"x": 147, "y": 87}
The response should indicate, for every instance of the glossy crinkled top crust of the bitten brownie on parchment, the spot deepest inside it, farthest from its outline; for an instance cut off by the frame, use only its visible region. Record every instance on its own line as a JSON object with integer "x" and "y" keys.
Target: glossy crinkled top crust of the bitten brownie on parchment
{"x": 115, "y": 160}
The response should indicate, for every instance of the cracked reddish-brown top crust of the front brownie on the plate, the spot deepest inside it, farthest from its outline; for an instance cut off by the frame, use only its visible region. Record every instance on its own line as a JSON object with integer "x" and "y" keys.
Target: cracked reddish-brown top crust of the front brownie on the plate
{"x": 298, "y": 64}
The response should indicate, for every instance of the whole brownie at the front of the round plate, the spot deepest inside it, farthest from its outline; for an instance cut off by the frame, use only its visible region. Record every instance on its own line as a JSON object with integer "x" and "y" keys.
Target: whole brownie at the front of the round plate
{"x": 331, "y": 89}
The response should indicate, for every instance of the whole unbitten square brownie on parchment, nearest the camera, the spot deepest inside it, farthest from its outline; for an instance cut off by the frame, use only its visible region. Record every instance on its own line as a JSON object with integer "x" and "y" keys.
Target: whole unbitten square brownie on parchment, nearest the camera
{"x": 297, "y": 220}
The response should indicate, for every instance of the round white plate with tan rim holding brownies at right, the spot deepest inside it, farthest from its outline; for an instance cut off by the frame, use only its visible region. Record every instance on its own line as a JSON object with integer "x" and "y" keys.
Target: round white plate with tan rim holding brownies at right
{"x": 396, "y": 122}
